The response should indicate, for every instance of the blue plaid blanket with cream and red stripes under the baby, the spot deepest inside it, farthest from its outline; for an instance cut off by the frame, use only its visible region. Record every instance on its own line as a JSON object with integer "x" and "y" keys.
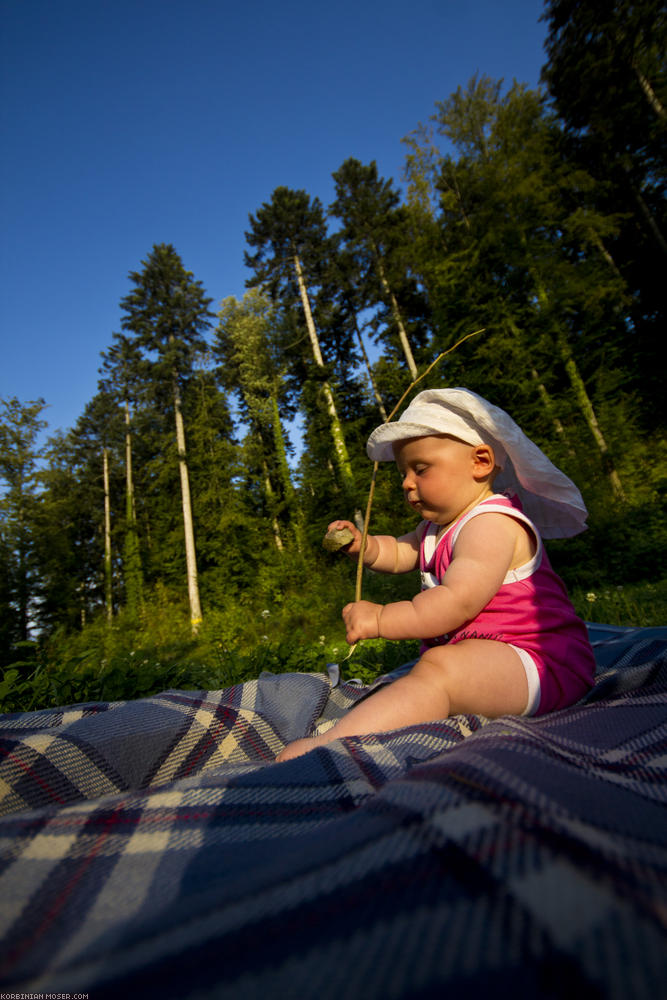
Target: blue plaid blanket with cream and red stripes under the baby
{"x": 155, "y": 848}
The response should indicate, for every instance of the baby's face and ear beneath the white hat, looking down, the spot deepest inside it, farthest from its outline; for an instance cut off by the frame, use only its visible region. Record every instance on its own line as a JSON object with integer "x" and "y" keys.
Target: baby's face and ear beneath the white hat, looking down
{"x": 438, "y": 476}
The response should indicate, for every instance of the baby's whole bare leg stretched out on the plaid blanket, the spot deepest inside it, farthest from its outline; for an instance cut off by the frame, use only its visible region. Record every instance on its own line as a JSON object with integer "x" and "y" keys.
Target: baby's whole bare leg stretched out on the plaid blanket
{"x": 476, "y": 675}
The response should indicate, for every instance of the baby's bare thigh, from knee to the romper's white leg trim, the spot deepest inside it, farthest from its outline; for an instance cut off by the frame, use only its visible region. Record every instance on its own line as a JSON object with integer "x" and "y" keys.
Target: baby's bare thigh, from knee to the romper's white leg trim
{"x": 480, "y": 676}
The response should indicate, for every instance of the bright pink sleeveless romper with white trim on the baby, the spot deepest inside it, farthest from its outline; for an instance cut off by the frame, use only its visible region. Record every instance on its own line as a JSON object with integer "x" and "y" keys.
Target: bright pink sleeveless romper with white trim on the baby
{"x": 531, "y": 611}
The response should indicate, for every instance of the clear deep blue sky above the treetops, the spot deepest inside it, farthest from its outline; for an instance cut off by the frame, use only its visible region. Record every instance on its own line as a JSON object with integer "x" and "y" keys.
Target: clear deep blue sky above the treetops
{"x": 126, "y": 123}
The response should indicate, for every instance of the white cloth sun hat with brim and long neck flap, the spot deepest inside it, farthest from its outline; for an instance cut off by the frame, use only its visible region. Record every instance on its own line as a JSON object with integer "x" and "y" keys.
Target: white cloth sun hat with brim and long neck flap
{"x": 551, "y": 500}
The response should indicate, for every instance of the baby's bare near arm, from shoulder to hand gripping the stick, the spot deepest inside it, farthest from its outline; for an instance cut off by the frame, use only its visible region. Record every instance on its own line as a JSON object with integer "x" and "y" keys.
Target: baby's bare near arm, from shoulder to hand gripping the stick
{"x": 483, "y": 554}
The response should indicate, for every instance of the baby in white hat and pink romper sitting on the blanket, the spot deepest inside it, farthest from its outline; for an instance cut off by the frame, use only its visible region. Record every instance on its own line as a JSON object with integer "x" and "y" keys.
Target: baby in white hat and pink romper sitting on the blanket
{"x": 499, "y": 633}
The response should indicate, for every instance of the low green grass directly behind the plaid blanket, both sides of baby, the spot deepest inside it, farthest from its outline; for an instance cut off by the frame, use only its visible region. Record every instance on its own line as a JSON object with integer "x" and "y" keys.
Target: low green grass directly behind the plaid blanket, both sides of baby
{"x": 123, "y": 663}
